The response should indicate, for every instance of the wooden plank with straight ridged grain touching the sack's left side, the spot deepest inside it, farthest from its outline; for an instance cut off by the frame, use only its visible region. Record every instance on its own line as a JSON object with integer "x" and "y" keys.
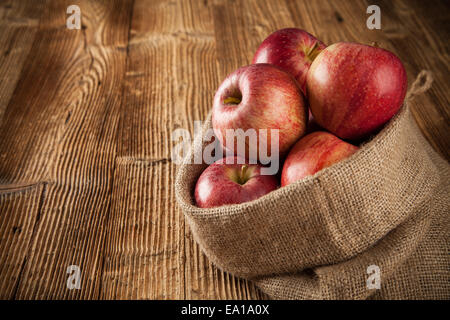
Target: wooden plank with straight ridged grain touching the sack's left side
{"x": 171, "y": 78}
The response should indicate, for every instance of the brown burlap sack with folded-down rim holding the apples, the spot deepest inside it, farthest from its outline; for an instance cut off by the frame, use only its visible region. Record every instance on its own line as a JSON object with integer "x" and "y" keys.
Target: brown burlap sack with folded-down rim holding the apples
{"x": 386, "y": 206}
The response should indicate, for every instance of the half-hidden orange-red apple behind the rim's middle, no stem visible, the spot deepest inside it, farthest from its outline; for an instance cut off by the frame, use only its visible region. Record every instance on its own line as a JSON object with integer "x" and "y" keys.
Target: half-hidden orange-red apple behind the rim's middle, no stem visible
{"x": 312, "y": 153}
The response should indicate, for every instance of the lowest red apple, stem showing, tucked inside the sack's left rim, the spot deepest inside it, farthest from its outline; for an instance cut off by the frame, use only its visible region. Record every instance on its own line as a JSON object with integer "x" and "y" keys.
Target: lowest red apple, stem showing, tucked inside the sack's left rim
{"x": 223, "y": 183}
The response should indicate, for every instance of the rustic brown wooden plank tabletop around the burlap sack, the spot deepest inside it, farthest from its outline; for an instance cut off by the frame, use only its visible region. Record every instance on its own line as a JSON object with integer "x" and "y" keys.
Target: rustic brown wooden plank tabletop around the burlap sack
{"x": 86, "y": 118}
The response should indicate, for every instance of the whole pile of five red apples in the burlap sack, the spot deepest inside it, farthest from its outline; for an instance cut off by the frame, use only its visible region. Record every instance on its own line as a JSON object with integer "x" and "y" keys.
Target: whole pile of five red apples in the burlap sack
{"x": 323, "y": 100}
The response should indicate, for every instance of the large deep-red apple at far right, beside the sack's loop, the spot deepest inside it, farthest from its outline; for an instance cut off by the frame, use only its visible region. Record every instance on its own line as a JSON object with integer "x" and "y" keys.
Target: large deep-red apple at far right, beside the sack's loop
{"x": 354, "y": 89}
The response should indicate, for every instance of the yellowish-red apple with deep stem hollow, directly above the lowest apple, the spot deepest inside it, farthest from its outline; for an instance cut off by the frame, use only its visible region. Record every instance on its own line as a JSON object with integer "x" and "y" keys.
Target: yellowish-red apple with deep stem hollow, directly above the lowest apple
{"x": 259, "y": 96}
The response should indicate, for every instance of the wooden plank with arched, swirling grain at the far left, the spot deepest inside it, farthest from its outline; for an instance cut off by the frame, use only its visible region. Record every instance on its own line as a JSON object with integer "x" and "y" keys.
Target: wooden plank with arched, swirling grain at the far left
{"x": 67, "y": 126}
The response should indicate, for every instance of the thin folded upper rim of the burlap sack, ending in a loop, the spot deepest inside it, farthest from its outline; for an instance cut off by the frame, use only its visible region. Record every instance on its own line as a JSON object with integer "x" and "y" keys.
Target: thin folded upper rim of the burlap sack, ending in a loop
{"x": 421, "y": 84}
